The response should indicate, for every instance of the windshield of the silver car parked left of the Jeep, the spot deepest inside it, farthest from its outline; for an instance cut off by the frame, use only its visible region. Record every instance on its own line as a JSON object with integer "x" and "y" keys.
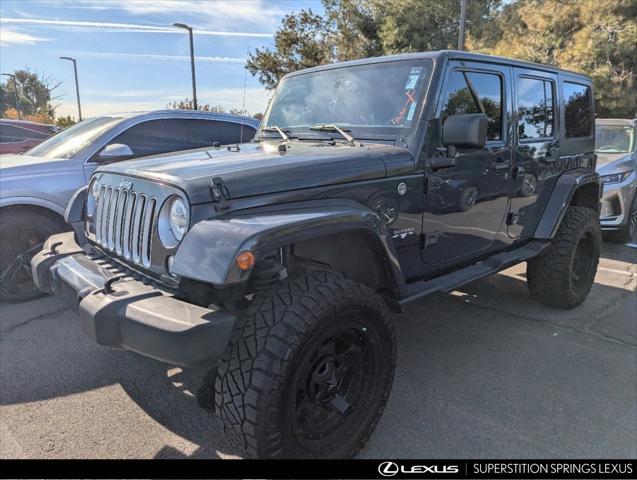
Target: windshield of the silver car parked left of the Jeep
{"x": 68, "y": 142}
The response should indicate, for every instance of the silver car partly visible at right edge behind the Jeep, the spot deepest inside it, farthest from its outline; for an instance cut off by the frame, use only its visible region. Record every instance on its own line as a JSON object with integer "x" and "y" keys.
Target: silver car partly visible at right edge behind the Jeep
{"x": 616, "y": 147}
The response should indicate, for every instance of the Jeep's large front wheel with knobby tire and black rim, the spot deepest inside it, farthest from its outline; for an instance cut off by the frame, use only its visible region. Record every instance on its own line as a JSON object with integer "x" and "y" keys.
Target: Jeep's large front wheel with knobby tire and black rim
{"x": 308, "y": 370}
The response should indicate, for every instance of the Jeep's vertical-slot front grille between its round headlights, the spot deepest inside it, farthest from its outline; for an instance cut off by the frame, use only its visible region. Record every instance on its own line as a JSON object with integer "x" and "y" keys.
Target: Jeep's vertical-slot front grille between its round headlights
{"x": 124, "y": 223}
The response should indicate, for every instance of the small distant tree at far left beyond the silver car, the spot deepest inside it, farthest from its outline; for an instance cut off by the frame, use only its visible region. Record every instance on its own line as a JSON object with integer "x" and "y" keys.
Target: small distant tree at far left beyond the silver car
{"x": 35, "y": 94}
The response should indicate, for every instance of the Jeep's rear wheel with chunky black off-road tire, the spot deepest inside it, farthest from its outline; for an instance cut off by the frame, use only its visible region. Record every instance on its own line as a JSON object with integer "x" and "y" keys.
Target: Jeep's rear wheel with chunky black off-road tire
{"x": 562, "y": 276}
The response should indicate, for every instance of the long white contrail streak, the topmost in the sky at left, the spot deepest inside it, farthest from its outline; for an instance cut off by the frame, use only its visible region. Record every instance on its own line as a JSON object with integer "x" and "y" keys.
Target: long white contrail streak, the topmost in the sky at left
{"x": 125, "y": 27}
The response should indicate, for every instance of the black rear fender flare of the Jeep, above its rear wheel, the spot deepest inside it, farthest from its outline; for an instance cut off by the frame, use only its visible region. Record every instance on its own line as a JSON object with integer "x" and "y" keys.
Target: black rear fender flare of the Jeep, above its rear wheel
{"x": 562, "y": 196}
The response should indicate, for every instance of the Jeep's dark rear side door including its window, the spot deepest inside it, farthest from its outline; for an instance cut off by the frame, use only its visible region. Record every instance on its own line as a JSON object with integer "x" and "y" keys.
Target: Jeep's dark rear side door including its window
{"x": 537, "y": 149}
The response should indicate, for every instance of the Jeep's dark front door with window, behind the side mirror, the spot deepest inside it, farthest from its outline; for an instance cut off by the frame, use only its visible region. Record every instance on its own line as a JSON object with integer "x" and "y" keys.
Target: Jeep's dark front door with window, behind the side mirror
{"x": 466, "y": 205}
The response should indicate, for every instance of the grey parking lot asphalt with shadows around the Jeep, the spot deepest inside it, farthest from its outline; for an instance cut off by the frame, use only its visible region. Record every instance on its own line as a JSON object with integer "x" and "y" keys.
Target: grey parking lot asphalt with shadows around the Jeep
{"x": 482, "y": 372}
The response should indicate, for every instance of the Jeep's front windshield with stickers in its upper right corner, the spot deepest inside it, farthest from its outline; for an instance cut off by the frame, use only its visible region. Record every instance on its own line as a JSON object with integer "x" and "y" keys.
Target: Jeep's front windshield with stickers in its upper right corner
{"x": 368, "y": 100}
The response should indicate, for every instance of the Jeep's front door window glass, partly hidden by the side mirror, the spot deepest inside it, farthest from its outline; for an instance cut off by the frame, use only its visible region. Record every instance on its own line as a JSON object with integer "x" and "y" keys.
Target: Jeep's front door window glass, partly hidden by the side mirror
{"x": 473, "y": 92}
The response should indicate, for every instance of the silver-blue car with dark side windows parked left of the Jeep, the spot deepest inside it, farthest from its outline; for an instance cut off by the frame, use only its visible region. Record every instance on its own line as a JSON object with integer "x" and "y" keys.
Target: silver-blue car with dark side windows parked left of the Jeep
{"x": 36, "y": 187}
